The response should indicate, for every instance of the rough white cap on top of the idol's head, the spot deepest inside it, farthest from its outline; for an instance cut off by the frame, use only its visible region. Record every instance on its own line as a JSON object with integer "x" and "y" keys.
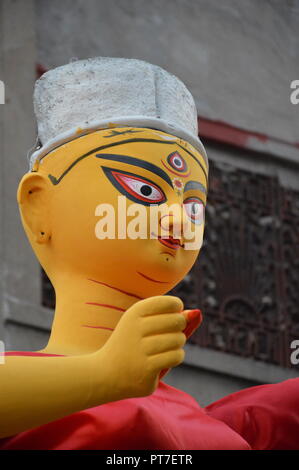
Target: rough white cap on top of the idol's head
{"x": 92, "y": 94}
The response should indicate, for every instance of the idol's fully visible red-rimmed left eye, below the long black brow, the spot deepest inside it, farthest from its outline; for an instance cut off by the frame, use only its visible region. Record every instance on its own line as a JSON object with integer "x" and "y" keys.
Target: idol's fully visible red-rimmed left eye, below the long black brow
{"x": 134, "y": 187}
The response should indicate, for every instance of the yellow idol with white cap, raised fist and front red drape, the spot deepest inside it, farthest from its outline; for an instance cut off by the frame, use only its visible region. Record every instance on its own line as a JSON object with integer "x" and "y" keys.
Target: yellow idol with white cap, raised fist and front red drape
{"x": 113, "y": 206}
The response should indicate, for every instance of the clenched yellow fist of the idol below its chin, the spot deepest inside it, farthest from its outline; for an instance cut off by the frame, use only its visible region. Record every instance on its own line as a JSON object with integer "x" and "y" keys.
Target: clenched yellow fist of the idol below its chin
{"x": 148, "y": 338}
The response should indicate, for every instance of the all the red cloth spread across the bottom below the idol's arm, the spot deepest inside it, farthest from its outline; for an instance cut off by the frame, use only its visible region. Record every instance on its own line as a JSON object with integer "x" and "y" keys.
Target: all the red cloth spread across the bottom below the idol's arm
{"x": 262, "y": 417}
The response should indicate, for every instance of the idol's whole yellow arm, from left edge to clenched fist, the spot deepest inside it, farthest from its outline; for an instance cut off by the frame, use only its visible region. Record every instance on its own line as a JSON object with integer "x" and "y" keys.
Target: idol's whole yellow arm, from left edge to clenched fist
{"x": 38, "y": 390}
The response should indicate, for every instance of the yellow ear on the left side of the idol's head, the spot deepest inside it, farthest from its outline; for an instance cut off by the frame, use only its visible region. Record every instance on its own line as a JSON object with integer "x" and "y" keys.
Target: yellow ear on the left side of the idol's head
{"x": 33, "y": 196}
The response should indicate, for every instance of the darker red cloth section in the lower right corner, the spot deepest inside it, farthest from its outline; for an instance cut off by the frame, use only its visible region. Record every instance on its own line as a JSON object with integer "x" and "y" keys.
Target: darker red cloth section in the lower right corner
{"x": 266, "y": 416}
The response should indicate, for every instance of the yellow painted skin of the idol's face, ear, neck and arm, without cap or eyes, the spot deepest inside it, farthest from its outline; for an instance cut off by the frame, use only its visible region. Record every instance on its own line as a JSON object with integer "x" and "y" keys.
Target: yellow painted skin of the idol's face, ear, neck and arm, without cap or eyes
{"x": 112, "y": 322}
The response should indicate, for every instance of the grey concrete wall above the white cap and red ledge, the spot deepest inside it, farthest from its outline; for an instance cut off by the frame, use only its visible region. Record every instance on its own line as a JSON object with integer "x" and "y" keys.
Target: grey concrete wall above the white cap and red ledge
{"x": 238, "y": 57}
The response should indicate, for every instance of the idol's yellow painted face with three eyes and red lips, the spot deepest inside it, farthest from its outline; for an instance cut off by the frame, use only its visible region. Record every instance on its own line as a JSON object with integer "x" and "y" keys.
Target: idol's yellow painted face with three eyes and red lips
{"x": 110, "y": 213}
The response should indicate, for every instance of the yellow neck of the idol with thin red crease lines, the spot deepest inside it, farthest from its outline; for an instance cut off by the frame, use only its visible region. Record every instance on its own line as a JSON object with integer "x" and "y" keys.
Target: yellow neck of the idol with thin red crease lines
{"x": 87, "y": 311}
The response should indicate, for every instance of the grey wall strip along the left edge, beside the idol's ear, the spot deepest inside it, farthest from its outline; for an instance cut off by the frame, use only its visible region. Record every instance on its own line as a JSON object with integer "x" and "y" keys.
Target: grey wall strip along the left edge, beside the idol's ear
{"x": 20, "y": 275}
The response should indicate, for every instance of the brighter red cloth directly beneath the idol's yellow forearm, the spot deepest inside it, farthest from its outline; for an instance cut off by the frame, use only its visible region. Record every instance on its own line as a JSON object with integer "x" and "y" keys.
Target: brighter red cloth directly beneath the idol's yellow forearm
{"x": 168, "y": 419}
